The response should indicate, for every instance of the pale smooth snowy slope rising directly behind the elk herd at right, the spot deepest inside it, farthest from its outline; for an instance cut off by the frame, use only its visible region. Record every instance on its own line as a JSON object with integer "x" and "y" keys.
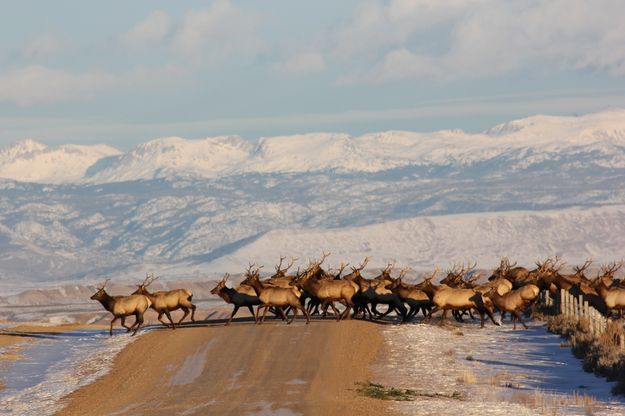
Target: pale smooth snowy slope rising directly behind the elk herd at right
{"x": 425, "y": 242}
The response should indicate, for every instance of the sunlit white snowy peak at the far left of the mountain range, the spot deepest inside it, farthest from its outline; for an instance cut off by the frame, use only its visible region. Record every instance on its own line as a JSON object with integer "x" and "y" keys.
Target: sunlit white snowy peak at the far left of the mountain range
{"x": 29, "y": 161}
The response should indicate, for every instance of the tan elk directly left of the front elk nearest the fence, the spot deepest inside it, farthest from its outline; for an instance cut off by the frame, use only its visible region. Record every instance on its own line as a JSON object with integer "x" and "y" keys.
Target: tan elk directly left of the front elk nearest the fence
{"x": 446, "y": 298}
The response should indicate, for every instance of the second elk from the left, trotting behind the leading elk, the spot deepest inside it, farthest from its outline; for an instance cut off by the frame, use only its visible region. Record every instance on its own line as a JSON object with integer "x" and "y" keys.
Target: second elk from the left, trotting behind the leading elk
{"x": 164, "y": 302}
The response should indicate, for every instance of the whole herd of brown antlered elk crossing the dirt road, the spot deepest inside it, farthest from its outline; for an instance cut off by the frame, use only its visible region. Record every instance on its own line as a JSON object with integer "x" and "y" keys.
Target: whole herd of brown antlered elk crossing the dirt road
{"x": 313, "y": 290}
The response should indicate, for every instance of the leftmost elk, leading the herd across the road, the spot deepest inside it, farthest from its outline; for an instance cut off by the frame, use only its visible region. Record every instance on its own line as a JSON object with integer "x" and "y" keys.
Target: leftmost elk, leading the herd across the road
{"x": 122, "y": 307}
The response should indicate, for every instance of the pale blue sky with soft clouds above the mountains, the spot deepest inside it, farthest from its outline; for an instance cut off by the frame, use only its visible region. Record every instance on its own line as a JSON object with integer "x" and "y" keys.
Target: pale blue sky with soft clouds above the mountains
{"x": 122, "y": 72}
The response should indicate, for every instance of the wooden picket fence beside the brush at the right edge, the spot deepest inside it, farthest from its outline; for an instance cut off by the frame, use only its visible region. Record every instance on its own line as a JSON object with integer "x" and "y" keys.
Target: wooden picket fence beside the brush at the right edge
{"x": 577, "y": 307}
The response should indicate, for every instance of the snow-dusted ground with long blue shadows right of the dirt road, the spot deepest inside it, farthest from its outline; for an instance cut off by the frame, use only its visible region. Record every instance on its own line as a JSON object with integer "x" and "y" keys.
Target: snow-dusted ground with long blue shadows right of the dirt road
{"x": 494, "y": 371}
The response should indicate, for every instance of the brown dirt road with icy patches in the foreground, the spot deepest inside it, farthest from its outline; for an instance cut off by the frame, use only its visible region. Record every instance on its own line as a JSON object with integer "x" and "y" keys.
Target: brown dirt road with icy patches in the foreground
{"x": 237, "y": 370}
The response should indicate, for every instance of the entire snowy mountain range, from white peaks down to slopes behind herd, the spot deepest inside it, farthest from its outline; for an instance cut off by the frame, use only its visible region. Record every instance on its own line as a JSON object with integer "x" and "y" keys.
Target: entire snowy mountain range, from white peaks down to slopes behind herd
{"x": 189, "y": 207}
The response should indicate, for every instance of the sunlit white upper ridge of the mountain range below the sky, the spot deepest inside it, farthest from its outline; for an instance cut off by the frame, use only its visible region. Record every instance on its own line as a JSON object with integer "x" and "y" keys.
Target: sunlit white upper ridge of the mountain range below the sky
{"x": 597, "y": 138}
